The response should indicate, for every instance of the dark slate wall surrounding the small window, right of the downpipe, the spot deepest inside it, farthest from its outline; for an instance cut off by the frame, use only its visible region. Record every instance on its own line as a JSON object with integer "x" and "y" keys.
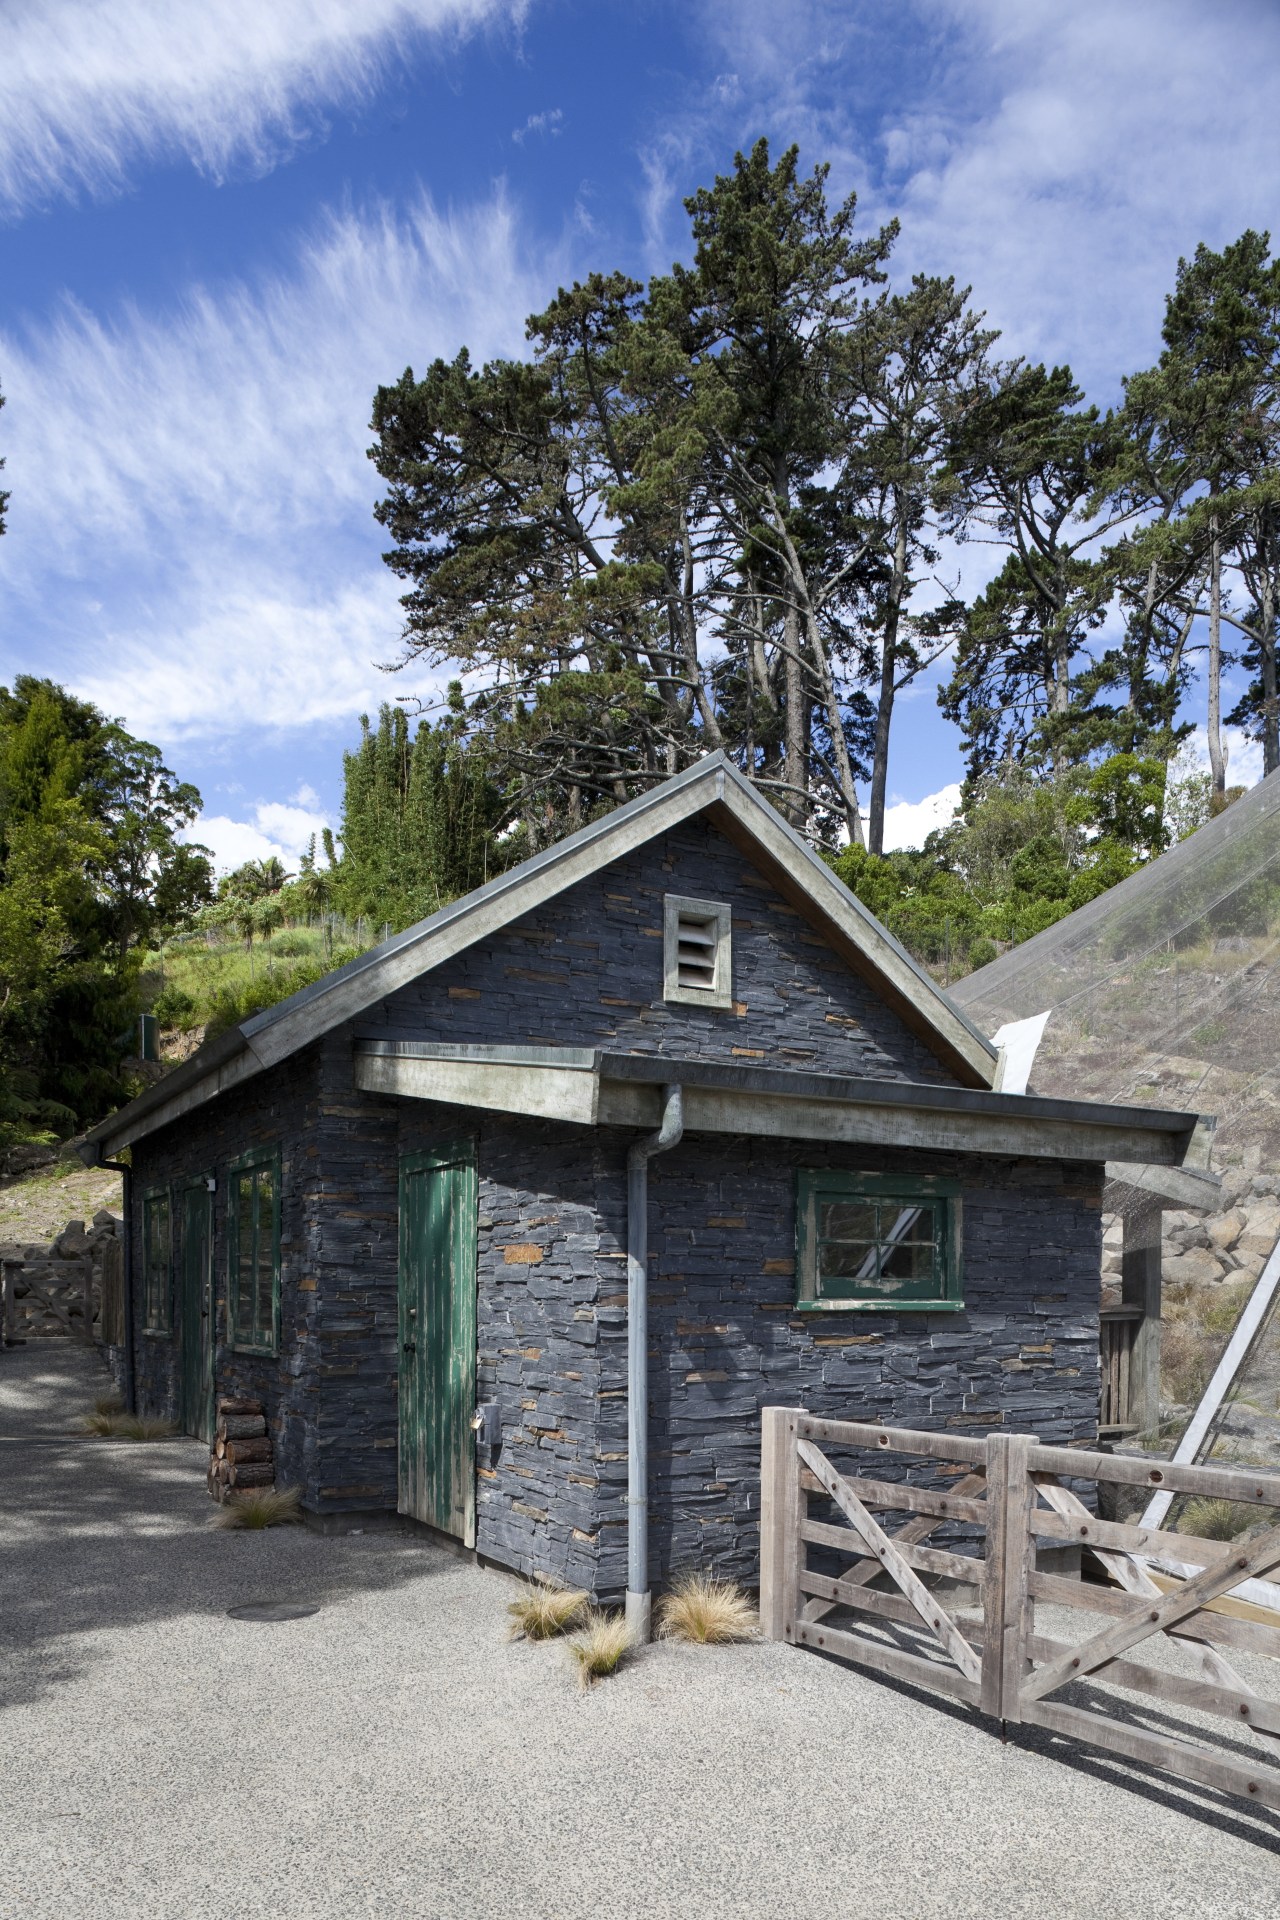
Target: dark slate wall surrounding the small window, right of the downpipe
{"x": 726, "y": 1337}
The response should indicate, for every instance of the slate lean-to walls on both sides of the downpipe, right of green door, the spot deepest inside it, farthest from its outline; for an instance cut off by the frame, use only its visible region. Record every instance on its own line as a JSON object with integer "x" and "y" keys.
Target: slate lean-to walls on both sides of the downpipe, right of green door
{"x": 726, "y": 1337}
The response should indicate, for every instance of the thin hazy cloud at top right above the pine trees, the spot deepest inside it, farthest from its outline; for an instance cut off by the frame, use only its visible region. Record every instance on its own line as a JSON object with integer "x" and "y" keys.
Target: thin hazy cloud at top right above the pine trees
{"x": 1060, "y": 158}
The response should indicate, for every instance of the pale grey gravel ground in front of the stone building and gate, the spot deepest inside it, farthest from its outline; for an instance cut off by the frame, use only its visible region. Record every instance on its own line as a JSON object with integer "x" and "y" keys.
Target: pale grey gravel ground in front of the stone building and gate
{"x": 396, "y": 1754}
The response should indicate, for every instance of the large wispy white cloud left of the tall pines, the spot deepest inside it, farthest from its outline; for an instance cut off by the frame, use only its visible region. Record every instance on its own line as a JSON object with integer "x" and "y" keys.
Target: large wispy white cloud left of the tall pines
{"x": 191, "y": 535}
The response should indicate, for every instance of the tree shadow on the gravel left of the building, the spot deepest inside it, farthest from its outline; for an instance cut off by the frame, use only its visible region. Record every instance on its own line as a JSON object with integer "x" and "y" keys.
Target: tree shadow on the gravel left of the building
{"x": 105, "y": 1535}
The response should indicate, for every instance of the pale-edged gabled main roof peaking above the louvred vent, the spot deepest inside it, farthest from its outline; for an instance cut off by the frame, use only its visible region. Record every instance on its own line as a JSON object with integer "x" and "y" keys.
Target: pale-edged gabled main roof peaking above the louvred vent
{"x": 715, "y": 790}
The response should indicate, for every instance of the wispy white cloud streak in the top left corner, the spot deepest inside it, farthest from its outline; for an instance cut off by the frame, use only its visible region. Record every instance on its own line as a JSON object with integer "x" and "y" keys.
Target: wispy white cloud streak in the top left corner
{"x": 91, "y": 89}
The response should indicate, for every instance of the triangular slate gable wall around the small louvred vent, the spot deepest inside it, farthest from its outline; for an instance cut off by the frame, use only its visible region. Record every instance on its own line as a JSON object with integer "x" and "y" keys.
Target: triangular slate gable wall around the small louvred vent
{"x": 586, "y": 971}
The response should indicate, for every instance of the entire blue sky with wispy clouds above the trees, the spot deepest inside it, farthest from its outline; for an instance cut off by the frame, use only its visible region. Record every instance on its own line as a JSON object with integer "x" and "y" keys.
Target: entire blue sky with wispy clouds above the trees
{"x": 224, "y": 226}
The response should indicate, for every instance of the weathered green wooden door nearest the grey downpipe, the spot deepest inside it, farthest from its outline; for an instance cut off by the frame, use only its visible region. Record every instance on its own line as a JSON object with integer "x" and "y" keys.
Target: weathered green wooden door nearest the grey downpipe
{"x": 439, "y": 1341}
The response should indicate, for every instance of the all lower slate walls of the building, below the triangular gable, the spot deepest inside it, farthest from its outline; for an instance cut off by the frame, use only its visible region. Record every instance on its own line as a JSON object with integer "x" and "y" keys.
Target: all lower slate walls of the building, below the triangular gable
{"x": 552, "y": 1316}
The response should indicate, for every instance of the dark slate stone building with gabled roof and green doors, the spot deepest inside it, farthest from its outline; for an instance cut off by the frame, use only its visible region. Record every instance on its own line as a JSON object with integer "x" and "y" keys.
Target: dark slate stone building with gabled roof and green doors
{"x": 519, "y": 1220}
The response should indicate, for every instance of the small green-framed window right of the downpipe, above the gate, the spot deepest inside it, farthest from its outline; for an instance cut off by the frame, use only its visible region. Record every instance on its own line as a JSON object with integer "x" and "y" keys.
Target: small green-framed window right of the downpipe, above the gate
{"x": 878, "y": 1241}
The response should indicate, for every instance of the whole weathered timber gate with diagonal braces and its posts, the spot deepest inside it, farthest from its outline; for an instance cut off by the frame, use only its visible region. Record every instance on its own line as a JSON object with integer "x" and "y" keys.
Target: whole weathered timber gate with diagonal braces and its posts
{"x": 980, "y": 1641}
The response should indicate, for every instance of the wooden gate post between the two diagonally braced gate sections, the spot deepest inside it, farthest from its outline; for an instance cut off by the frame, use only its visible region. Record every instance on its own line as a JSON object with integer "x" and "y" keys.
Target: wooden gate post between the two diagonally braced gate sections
{"x": 1010, "y": 1556}
